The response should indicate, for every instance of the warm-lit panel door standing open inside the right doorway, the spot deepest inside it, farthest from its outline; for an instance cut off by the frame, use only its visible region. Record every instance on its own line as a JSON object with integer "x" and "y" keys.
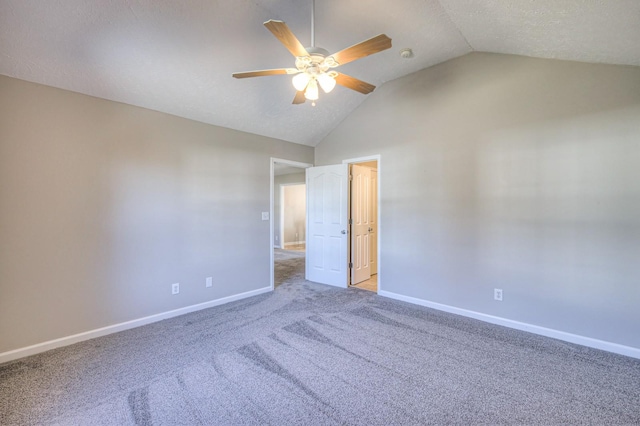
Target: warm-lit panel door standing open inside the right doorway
{"x": 361, "y": 223}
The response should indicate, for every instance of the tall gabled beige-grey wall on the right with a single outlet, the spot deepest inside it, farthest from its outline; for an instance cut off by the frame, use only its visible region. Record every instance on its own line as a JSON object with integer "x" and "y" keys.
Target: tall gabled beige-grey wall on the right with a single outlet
{"x": 509, "y": 172}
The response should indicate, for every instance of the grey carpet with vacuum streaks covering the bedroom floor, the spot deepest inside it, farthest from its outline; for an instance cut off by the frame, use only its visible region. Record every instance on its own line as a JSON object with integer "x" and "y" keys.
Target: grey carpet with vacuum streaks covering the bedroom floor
{"x": 314, "y": 355}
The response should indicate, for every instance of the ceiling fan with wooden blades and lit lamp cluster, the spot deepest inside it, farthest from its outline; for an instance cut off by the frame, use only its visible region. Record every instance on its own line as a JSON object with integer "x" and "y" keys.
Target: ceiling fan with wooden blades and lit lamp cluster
{"x": 314, "y": 65}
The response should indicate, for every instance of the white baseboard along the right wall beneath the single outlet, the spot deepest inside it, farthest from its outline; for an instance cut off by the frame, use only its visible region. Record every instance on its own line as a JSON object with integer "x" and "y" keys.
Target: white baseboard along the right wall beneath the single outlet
{"x": 543, "y": 331}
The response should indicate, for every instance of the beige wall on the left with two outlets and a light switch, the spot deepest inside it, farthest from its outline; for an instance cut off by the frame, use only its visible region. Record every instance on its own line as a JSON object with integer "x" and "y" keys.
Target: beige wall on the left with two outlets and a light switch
{"x": 103, "y": 206}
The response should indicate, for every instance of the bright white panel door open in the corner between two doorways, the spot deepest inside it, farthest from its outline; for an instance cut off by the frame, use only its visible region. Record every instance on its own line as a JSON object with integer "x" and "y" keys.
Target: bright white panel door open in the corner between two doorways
{"x": 327, "y": 196}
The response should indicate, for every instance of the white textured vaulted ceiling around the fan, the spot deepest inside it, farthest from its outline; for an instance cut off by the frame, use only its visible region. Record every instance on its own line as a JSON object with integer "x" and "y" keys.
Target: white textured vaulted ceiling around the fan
{"x": 178, "y": 56}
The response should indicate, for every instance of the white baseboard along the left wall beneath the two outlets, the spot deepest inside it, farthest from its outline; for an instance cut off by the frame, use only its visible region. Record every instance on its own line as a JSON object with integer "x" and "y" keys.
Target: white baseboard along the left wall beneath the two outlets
{"x": 69, "y": 340}
